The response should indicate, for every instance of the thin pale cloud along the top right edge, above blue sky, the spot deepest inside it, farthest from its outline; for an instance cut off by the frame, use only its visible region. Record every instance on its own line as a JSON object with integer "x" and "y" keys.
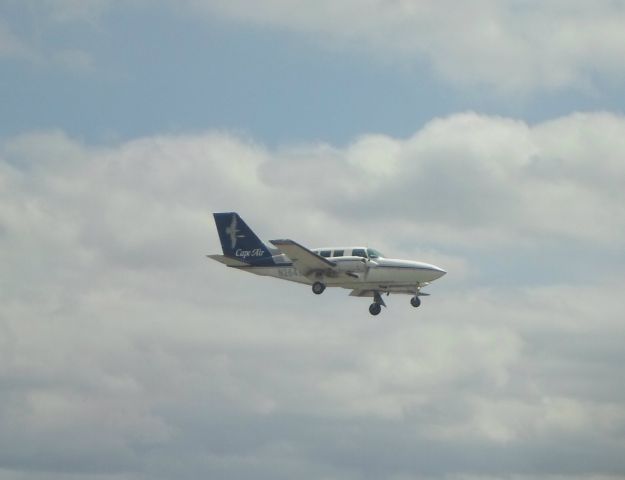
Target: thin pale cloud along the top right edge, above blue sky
{"x": 506, "y": 45}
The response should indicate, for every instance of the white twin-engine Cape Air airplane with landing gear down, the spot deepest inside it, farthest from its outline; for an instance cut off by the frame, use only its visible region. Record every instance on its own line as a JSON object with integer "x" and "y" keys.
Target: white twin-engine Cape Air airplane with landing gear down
{"x": 365, "y": 271}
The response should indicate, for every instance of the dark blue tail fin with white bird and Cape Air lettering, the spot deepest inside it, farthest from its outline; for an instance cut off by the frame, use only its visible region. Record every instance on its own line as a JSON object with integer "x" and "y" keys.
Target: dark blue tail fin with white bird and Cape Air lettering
{"x": 239, "y": 241}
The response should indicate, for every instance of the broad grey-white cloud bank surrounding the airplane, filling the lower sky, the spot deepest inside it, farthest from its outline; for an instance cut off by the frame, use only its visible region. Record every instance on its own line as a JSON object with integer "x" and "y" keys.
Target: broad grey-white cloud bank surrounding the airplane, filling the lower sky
{"x": 124, "y": 353}
